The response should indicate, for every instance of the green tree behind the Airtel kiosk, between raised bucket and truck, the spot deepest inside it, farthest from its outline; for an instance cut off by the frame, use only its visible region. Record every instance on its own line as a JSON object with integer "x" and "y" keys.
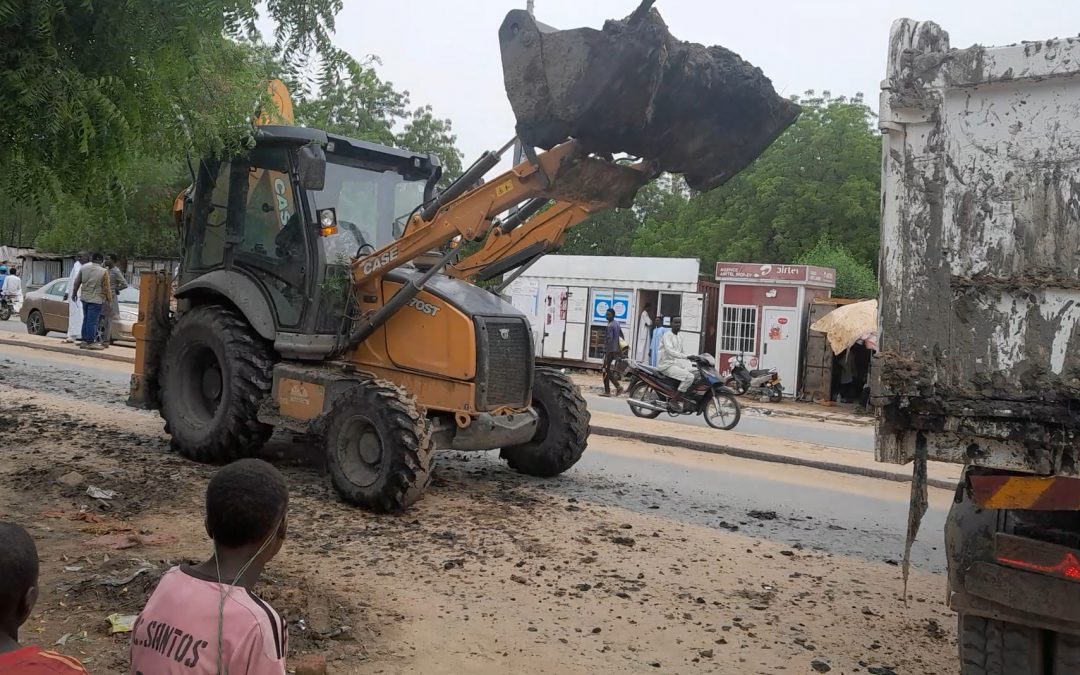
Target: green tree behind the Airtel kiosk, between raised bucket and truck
{"x": 822, "y": 177}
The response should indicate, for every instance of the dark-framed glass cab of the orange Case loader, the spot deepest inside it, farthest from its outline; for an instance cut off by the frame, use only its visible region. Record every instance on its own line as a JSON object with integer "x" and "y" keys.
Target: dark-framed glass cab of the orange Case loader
{"x": 274, "y": 232}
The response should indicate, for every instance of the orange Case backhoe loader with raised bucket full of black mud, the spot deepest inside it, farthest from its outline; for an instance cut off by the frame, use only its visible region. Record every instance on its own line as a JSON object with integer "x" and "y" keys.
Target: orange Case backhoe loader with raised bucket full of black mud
{"x": 321, "y": 290}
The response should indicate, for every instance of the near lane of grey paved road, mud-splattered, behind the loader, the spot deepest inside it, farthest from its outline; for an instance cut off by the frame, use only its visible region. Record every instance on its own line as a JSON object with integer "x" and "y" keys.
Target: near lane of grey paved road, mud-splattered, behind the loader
{"x": 817, "y": 510}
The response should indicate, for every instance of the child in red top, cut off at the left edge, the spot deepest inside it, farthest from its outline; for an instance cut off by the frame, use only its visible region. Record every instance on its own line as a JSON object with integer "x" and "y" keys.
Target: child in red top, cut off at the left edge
{"x": 19, "y": 593}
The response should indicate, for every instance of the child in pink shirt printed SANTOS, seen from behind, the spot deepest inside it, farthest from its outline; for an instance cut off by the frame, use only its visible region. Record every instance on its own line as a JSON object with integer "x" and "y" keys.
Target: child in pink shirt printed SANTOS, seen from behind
{"x": 204, "y": 619}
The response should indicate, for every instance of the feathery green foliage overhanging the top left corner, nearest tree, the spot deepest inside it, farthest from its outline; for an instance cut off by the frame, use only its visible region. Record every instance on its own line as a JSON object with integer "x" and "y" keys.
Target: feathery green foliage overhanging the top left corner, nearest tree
{"x": 87, "y": 84}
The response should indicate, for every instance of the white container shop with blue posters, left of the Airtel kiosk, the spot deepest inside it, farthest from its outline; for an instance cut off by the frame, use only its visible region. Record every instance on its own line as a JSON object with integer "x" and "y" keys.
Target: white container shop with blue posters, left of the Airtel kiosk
{"x": 566, "y": 300}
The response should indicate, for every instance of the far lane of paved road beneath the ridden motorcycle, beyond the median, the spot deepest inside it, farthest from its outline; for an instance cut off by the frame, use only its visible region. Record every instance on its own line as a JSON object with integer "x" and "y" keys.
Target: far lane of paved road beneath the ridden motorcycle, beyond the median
{"x": 835, "y": 436}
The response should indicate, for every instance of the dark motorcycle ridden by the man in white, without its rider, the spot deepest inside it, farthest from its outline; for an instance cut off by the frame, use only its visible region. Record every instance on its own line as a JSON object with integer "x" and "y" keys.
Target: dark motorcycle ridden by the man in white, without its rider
{"x": 652, "y": 393}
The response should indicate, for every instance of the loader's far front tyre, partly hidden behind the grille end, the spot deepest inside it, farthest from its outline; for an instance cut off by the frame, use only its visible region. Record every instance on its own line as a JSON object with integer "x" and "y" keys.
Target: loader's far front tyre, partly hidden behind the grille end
{"x": 563, "y": 430}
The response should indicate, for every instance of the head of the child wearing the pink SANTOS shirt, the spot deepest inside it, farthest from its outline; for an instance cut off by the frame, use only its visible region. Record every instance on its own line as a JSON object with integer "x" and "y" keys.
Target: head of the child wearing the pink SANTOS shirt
{"x": 246, "y": 508}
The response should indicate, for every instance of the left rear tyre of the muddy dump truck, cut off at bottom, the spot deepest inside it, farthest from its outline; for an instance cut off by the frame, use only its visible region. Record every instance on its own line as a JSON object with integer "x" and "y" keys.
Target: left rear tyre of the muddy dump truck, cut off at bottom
{"x": 991, "y": 647}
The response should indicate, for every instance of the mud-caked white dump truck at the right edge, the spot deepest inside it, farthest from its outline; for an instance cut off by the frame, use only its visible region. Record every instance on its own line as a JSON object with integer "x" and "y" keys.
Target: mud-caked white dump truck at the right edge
{"x": 980, "y": 343}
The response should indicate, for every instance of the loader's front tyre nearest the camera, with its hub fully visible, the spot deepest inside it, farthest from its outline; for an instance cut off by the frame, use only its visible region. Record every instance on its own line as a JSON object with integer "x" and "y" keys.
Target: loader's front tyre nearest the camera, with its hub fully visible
{"x": 380, "y": 448}
